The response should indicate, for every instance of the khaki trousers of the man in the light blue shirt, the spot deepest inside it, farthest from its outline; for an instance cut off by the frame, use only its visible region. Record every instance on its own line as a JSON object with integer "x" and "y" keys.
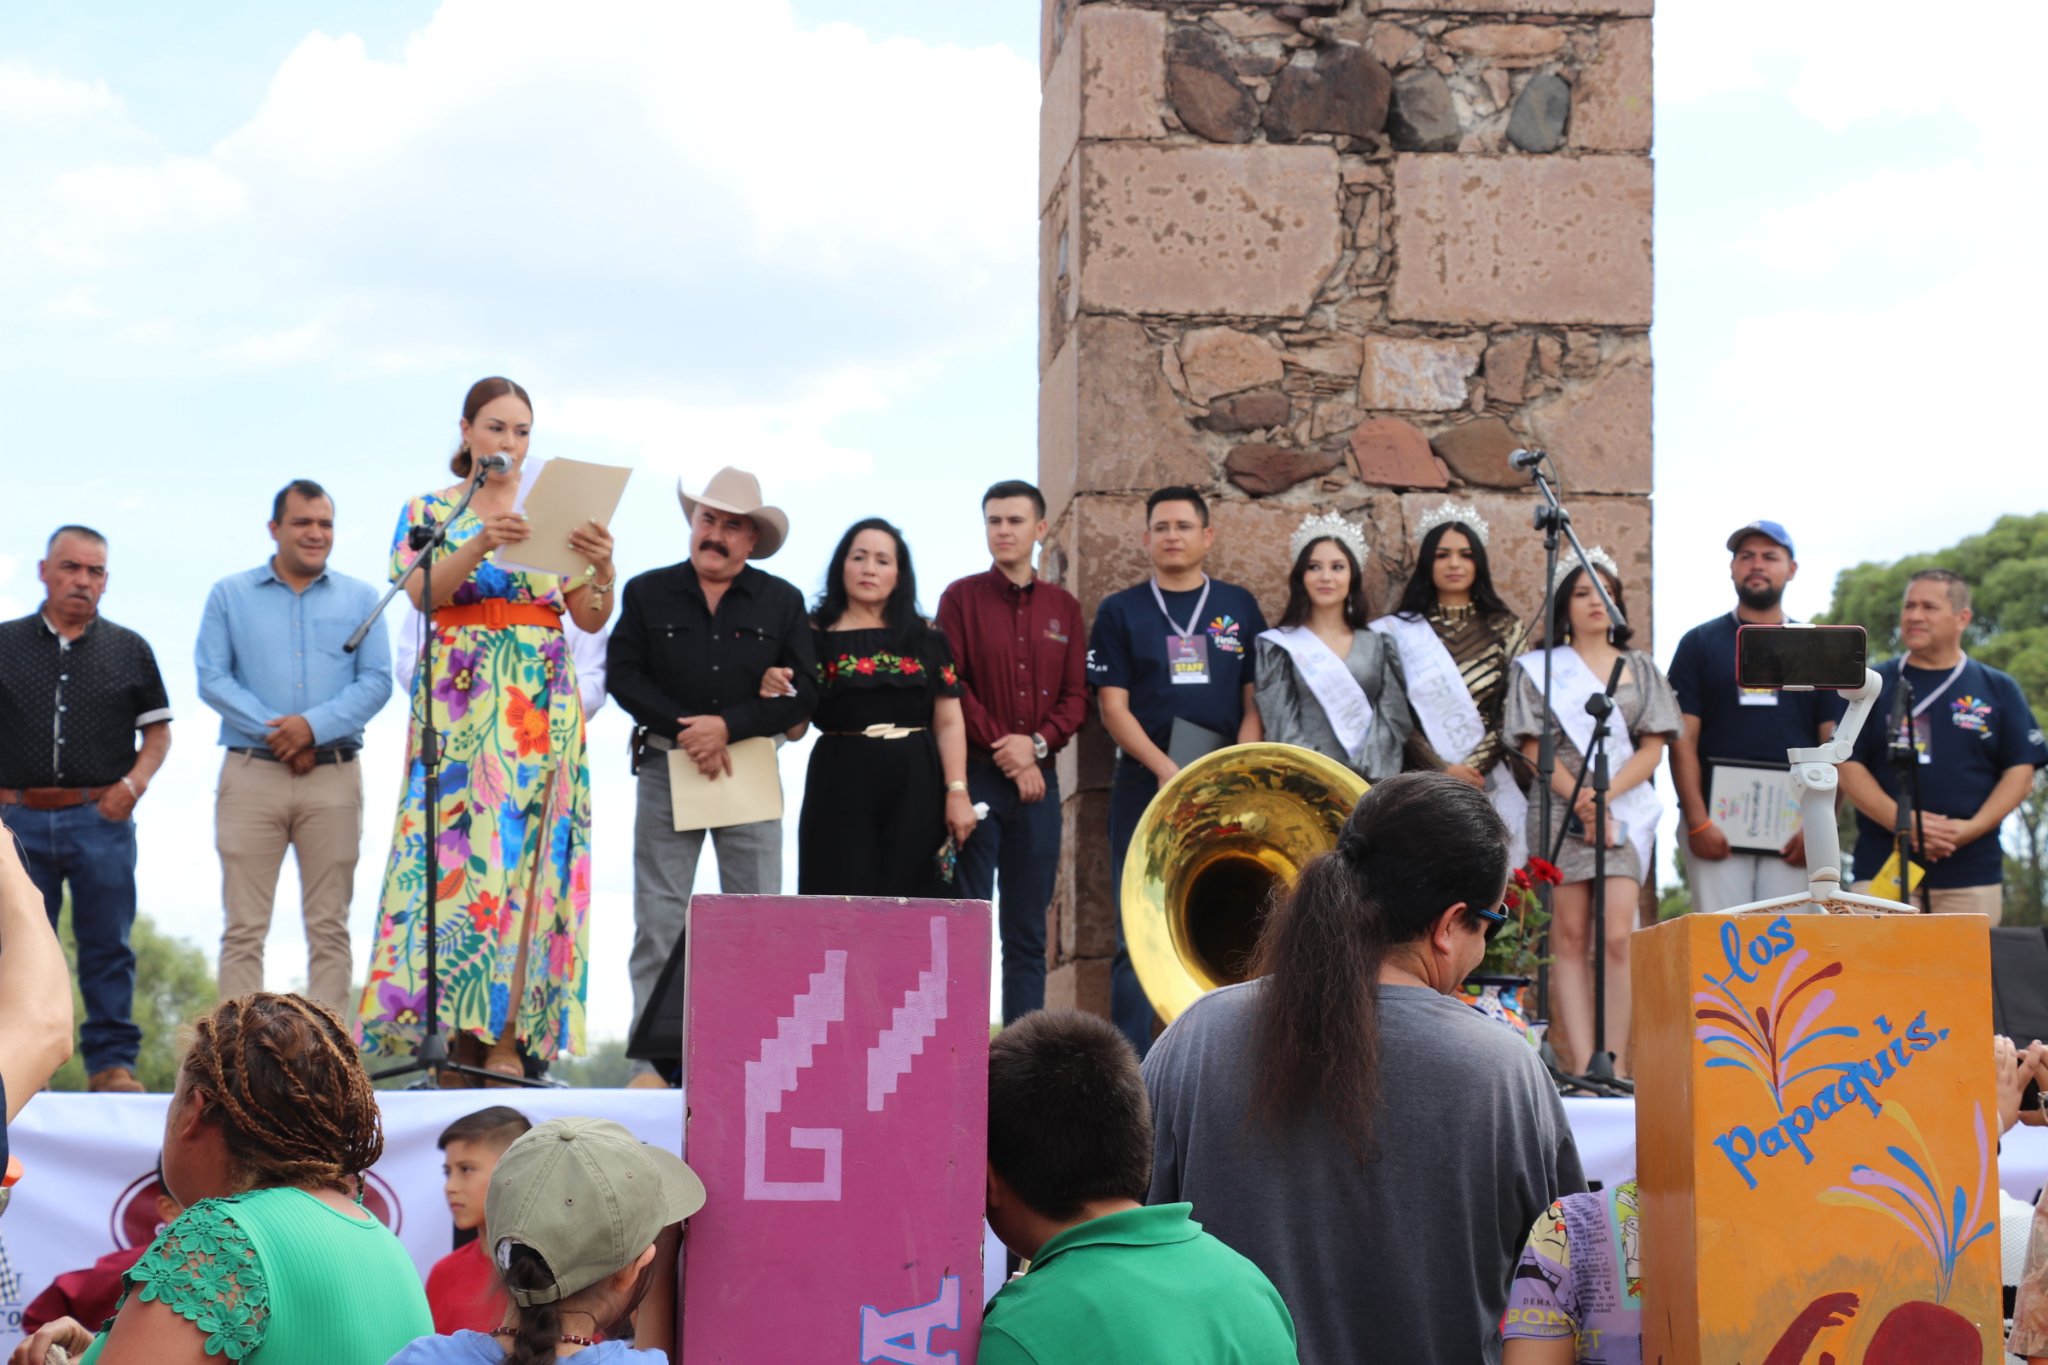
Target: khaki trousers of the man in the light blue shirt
{"x": 259, "y": 813}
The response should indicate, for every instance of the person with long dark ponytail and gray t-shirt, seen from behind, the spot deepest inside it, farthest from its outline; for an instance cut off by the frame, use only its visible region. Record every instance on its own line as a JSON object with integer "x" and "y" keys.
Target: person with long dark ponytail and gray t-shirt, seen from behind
{"x": 1373, "y": 1145}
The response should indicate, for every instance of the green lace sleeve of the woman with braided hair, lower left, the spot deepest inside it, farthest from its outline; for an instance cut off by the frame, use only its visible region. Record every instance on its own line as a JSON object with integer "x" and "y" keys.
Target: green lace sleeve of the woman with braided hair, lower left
{"x": 204, "y": 1270}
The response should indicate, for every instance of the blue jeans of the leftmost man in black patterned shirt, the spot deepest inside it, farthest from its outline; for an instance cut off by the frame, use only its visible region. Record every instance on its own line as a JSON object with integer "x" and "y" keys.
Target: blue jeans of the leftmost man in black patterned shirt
{"x": 97, "y": 856}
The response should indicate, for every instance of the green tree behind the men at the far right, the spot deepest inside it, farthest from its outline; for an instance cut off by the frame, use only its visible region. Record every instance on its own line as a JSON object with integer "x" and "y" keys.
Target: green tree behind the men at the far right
{"x": 2008, "y": 574}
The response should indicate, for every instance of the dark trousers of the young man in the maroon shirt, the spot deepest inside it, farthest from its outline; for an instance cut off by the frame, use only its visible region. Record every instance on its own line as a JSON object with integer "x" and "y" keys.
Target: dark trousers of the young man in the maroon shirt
{"x": 1021, "y": 846}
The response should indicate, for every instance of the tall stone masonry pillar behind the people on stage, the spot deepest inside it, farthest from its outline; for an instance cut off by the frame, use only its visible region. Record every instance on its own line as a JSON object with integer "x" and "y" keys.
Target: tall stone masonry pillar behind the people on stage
{"x": 1334, "y": 257}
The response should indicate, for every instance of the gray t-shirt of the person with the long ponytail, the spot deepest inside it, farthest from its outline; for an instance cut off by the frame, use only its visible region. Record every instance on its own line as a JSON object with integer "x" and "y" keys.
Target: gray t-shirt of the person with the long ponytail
{"x": 1406, "y": 1260}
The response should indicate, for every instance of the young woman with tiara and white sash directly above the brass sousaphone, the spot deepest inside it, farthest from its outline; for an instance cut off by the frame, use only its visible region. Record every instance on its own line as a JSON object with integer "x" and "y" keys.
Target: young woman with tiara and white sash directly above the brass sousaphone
{"x": 1324, "y": 680}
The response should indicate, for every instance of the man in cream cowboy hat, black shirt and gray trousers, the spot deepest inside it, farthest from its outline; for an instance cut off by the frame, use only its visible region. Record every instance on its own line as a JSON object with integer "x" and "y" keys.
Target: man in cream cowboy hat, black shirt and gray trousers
{"x": 687, "y": 664}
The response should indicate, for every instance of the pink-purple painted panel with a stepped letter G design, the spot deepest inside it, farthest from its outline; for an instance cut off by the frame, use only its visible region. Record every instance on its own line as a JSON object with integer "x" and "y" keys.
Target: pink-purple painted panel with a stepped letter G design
{"x": 837, "y": 1077}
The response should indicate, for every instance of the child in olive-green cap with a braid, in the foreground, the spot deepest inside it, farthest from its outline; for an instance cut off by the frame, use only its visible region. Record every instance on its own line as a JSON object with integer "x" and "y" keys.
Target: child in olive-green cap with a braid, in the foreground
{"x": 577, "y": 1215}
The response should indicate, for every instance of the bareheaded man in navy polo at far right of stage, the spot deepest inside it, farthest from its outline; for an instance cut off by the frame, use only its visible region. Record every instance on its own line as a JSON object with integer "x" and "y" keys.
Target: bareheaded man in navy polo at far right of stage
{"x": 1977, "y": 748}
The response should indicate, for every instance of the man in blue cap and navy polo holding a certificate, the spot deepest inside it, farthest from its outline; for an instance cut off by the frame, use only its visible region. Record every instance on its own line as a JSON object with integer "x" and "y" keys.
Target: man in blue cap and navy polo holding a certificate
{"x": 1734, "y": 725}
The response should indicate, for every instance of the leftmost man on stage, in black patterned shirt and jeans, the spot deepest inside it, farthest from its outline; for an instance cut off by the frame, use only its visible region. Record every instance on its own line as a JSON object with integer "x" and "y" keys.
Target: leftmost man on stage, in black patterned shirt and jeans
{"x": 75, "y": 693}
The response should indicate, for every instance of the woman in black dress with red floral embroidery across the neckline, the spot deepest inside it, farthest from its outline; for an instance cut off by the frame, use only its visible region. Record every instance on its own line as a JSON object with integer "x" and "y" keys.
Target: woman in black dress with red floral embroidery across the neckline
{"x": 888, "y": 779}
